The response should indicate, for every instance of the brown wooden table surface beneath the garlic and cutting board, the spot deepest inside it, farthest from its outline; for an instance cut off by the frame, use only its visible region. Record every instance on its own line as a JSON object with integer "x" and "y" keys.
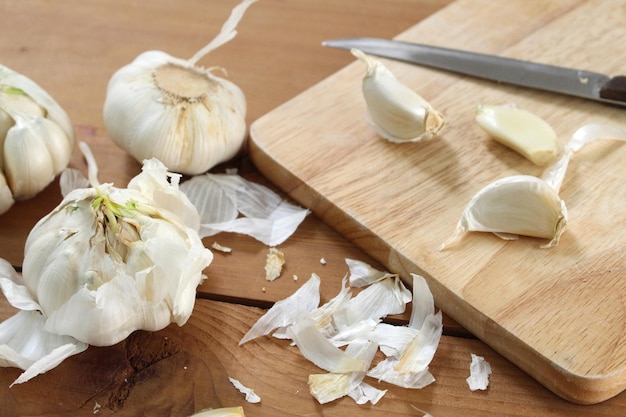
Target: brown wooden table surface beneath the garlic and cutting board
{"x": 71, "y": 49}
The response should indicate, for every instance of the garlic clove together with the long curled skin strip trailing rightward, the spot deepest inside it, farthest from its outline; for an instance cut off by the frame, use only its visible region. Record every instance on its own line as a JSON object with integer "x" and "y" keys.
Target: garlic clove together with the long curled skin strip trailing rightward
{"x": 527, "y": 205}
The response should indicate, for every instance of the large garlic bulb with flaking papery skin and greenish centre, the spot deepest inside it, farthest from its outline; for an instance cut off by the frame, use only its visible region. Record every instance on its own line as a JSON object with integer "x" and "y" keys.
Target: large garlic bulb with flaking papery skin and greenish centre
{"x": 104, "y": 263}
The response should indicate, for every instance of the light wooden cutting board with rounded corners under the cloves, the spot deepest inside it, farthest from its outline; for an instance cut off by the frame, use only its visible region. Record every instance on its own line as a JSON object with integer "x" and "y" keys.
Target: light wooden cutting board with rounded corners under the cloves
{"x": 557, "y": 313}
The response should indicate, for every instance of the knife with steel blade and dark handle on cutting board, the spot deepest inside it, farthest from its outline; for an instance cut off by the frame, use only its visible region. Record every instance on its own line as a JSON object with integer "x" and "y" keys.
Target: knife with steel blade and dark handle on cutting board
{"x": 568, "y": 81}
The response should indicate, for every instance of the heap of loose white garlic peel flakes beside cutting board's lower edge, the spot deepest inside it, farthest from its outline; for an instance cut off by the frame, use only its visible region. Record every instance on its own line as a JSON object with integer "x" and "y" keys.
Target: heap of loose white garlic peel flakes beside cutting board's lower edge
{"x": 322, "y": 332}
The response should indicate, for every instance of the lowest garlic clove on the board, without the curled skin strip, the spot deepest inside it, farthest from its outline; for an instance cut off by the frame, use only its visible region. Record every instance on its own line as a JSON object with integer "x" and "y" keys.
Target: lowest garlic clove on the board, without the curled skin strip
{"x": 517, "y": 205}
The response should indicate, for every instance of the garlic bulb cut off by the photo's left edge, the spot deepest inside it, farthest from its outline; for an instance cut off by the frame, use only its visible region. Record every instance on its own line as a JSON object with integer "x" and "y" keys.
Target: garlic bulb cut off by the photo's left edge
{"x": 36, "y": 138}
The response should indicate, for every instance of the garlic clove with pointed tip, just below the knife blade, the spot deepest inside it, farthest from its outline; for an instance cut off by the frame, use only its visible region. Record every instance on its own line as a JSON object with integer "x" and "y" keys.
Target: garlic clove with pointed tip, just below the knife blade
{"x": 396, "y": 112}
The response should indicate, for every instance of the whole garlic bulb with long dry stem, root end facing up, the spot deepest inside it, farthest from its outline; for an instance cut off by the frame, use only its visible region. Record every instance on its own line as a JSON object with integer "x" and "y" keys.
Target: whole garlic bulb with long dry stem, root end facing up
{"x": 184, "y": 115}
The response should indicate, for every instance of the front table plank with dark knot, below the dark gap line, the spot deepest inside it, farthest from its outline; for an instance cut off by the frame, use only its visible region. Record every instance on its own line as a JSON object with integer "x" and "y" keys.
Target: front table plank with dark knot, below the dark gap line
{"x": 181, "y": 370}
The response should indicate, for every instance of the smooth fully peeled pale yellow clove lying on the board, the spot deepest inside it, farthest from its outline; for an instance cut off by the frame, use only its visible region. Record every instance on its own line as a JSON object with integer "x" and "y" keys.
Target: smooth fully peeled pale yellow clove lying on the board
{"x": 520, "y": 130}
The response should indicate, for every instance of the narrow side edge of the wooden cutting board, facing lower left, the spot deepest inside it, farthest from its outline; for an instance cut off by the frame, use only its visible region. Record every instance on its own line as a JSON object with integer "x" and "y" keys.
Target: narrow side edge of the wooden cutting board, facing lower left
{"x": 576, "y": 388}
